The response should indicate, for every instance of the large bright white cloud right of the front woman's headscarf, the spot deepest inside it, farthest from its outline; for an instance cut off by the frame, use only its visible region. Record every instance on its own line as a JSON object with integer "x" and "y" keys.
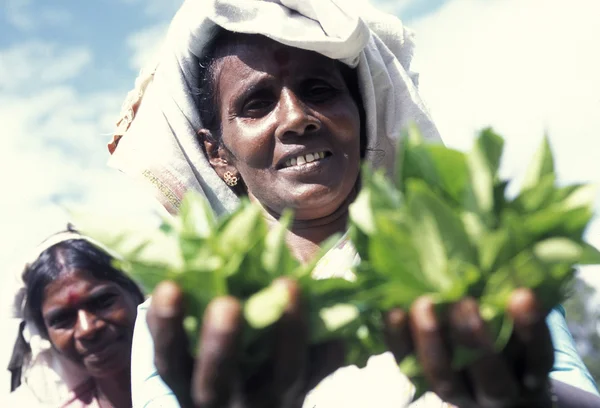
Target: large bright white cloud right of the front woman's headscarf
{"x": 525, "y": 67}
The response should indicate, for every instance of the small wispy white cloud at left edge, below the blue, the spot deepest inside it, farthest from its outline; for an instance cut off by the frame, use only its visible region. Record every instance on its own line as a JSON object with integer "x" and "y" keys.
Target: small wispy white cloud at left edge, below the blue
{"x": 38, "y": 63}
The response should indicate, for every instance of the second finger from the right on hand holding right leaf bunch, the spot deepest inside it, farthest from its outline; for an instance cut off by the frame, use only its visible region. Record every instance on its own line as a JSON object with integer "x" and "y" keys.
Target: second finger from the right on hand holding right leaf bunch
{"x": 492, "y": 383}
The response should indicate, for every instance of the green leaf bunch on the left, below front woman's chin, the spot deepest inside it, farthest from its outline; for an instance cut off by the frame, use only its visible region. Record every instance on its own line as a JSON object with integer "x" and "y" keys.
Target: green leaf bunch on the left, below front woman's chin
{"x": 236, "y": 255}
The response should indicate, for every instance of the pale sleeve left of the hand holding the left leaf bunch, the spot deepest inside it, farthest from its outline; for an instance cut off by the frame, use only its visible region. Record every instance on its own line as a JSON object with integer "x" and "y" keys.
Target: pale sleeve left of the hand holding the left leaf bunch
{"x": 147, "y": 388}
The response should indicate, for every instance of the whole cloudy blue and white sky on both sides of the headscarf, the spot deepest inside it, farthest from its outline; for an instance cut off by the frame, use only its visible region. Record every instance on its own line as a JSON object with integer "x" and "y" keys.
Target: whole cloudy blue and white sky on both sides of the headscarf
{"x": 525, "y": 67}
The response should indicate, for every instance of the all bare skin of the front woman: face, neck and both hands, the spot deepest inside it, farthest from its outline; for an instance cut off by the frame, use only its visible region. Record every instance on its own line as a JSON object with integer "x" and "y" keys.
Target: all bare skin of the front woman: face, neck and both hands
{"x": 303, "y": 105}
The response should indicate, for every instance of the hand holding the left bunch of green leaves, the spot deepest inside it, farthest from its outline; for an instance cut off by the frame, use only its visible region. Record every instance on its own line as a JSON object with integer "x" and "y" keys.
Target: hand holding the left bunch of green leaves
{"x": 213, "y": 380}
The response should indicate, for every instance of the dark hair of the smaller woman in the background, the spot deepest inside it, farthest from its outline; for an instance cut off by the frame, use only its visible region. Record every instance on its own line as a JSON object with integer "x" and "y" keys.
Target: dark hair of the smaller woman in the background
{"x": 65, "y": 257}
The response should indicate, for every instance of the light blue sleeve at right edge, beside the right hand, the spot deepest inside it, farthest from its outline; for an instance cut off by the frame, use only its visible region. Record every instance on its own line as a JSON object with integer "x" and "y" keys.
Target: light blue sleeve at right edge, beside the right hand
{"x": 568, "y": 366}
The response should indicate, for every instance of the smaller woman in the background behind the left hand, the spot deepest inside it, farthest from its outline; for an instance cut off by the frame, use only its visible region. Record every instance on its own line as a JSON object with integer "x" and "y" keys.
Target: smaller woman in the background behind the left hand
{"x": 74, "y": 344}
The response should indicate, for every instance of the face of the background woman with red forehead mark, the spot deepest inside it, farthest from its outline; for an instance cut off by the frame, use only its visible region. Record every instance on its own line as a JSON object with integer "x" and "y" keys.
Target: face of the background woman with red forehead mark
{"x": 90, "y": 321}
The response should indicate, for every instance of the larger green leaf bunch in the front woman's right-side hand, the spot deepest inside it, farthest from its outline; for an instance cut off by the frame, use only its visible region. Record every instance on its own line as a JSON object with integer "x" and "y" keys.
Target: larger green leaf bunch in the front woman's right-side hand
{"x": 445, "y": 227}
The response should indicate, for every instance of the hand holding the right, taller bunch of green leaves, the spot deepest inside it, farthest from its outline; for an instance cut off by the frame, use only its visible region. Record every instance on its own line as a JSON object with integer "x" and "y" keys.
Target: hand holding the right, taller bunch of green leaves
{"x": 517, "y": 377}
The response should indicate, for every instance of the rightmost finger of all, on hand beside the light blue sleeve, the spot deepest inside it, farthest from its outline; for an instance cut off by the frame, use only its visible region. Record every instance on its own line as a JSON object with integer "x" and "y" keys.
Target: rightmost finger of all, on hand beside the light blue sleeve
{"x": 531, "y": 330}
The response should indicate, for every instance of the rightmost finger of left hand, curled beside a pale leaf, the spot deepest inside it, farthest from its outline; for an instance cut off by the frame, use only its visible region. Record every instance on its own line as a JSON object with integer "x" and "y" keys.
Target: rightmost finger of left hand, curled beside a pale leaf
{"x": 291, "y": 345}
